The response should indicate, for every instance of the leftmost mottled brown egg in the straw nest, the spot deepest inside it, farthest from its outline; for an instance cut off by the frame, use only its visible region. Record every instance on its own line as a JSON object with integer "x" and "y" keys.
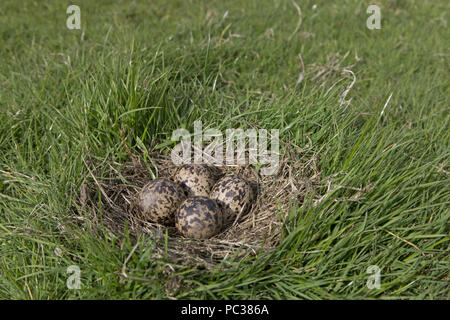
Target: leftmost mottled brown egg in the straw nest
{"x": 160, "y": 199}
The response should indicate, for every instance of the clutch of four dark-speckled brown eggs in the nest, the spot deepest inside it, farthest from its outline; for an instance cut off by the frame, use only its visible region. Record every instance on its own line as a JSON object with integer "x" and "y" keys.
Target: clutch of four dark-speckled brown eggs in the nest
{"x": 195, "y": 201}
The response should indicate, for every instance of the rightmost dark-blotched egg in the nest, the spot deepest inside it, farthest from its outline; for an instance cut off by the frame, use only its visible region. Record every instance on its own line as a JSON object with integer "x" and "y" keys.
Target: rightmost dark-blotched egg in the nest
{"x": 233, "y": 194}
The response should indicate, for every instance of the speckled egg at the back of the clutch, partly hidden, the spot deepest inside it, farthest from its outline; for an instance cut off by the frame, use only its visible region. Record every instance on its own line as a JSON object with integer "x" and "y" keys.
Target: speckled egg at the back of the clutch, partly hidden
{"x": 196, "y": 178}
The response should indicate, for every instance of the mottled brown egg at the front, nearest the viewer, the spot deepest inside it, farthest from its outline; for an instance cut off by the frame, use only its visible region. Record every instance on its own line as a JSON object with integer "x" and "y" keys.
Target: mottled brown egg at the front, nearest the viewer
{"x": 199, "y": 217}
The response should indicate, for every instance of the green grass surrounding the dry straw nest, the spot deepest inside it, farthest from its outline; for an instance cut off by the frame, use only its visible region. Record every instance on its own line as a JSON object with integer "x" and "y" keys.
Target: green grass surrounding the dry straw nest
{"x": 136, "y": 71}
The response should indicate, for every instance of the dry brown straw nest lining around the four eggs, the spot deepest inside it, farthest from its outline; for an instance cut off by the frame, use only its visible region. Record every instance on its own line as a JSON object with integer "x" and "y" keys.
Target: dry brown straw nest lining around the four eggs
{"x": 258, "y": 230}
